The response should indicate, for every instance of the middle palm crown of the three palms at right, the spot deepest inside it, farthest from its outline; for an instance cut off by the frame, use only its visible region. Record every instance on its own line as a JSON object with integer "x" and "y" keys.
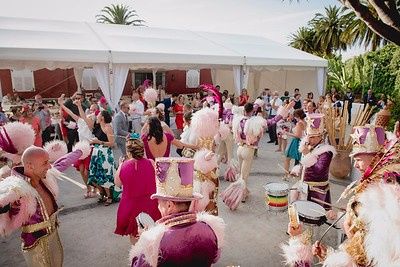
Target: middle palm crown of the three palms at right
{"x": 329, "y": 28}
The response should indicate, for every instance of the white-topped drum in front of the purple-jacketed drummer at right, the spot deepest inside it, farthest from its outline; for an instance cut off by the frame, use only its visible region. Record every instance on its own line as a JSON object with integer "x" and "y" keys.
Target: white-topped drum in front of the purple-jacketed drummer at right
{"x": 310, "y": 212}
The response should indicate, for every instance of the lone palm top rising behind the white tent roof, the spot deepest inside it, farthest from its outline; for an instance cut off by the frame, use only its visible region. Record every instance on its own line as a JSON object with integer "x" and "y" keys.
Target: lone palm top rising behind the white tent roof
{"x": 119, "y": 14}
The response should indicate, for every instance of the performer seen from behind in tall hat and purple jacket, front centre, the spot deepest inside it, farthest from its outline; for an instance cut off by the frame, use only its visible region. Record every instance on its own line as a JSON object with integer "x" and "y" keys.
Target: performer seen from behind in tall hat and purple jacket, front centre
{"x": 180, "y": 237}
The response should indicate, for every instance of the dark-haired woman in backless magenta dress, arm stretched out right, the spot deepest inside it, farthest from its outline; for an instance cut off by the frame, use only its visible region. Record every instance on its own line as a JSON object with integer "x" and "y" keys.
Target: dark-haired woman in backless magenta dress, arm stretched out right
{"x": 157, "y": 143}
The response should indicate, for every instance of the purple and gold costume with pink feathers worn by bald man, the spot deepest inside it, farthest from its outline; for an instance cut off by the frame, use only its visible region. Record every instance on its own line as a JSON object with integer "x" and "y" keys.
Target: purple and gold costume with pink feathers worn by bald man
{"x": 21, "y": 207}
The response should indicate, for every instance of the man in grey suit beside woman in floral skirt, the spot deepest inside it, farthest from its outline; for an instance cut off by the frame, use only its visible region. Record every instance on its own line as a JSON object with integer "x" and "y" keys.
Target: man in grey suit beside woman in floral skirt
{"x": 121, "y": 126}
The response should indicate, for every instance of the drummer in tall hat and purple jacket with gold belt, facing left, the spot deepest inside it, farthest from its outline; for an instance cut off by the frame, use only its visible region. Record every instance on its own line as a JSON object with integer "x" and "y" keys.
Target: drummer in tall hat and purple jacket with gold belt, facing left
{"x": 317, "y": 157}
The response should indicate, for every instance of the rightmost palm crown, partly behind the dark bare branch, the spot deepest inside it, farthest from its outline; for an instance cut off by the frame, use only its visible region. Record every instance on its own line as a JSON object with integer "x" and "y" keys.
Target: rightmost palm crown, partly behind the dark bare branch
{"x": 357, "y": 32}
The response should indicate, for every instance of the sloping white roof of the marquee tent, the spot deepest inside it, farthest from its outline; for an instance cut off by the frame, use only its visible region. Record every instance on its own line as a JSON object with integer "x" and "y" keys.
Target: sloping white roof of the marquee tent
{"x": 35, "y": 43}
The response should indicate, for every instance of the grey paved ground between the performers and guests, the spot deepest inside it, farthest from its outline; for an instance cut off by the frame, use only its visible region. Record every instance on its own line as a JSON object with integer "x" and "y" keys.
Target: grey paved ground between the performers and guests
{"x": 253, "y": 234}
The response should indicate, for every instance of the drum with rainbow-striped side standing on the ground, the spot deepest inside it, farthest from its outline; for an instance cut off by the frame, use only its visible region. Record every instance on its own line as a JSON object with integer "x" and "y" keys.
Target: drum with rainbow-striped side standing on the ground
{"x": 277, "y": 196}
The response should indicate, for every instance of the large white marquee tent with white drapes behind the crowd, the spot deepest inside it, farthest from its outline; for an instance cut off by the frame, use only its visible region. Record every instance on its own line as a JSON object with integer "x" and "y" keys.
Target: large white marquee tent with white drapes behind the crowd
{"x": 236, "y": 61}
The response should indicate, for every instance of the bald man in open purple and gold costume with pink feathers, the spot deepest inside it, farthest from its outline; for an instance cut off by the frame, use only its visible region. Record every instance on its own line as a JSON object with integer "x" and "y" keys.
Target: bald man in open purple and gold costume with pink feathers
{"x": 28, "y": 202}
